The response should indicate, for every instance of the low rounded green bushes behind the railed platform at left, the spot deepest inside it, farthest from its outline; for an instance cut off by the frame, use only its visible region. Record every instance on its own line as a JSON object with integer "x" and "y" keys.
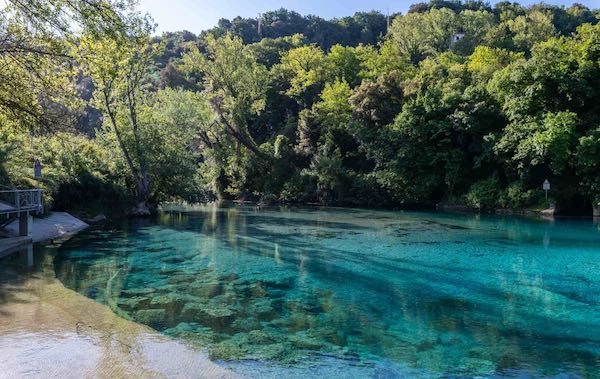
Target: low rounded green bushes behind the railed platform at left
{"x": 70, "y": 163}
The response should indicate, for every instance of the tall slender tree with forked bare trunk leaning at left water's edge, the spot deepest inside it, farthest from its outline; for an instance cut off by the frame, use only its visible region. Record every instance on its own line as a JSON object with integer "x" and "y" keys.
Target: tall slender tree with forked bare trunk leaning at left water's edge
{"x": 119, "y": 68}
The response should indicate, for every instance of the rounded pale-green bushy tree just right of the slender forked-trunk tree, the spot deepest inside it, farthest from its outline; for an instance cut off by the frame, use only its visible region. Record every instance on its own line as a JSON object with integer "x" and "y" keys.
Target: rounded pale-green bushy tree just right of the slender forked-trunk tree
{"x": 177, "y": 133}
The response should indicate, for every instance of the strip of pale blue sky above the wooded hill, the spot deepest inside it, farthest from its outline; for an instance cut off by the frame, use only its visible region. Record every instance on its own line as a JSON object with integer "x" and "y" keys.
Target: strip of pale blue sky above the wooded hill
{"x": 198, "y": 15}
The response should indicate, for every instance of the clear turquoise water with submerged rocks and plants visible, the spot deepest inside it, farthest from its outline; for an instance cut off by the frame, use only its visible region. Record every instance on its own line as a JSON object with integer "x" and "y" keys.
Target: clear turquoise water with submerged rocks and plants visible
{"x": 284, "y": 292}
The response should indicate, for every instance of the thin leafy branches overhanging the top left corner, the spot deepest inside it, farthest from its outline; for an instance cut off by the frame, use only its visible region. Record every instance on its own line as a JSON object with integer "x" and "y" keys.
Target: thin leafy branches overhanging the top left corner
{"x": 36, "y": 82}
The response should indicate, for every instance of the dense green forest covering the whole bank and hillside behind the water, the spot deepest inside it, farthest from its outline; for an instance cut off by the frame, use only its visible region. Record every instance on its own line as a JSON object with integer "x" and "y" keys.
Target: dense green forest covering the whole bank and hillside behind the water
{"x": 451, "y": 103}
